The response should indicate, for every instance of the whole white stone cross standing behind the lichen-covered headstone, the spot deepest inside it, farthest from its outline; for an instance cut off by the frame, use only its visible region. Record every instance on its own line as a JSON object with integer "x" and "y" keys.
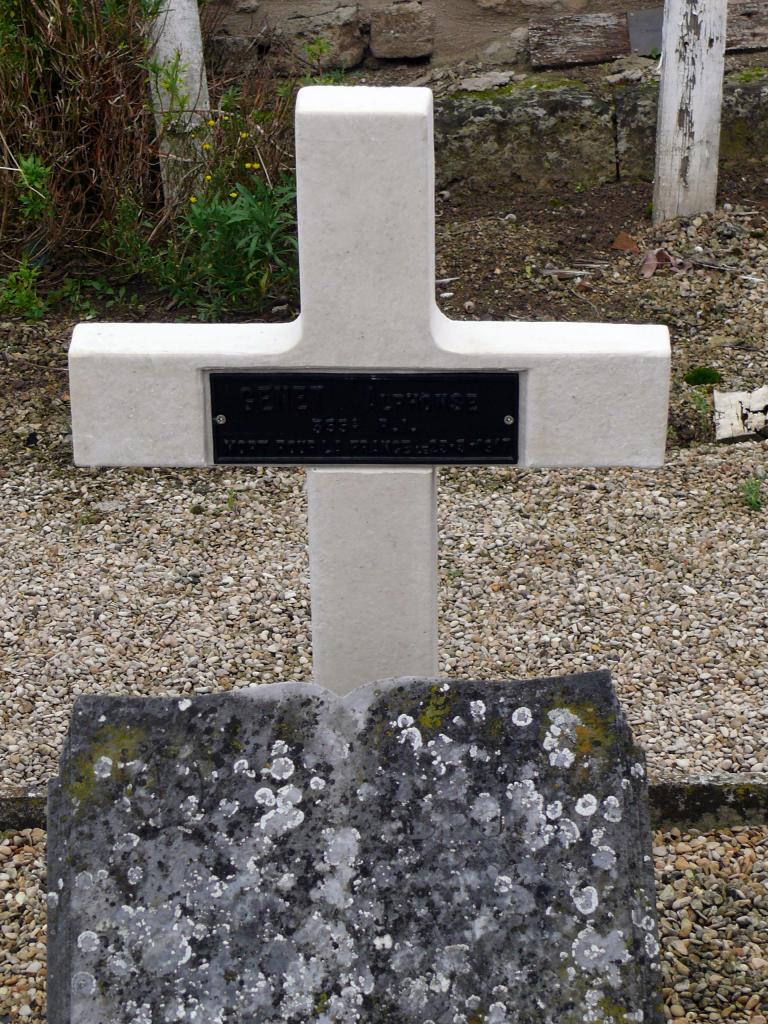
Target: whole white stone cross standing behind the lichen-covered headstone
{"x": 591, "y": 395}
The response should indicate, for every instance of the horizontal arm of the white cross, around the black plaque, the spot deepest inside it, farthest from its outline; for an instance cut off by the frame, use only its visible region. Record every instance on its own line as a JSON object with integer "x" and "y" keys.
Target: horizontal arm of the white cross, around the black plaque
{"x": 591, "y": 395}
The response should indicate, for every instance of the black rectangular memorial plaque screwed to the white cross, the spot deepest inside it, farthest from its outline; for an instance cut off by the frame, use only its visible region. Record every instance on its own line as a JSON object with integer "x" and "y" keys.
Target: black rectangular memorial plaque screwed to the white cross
{"x": 349, "y": 418}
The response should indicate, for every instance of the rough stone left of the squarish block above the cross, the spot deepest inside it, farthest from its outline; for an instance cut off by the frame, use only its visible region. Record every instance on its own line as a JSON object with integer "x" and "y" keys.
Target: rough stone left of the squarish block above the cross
{"x": 335, "y": 37}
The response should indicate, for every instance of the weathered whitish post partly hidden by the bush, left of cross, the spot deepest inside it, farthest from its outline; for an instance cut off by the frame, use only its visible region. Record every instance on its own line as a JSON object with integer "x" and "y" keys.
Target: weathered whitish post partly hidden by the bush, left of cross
{"x": 180, "y": 93}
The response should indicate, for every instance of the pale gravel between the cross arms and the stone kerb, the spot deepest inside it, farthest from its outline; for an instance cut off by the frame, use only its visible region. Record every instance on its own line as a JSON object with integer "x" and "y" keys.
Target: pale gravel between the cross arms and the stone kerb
{"x": 157, "y": 583}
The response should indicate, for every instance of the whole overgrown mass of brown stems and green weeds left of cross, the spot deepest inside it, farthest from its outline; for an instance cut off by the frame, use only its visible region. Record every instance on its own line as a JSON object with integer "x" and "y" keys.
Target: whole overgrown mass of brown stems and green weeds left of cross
{"x": 81, "y": 178}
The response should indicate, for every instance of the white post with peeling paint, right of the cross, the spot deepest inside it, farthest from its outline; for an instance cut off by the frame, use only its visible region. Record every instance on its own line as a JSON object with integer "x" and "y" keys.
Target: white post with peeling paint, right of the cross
{"x": 690, "y": 108}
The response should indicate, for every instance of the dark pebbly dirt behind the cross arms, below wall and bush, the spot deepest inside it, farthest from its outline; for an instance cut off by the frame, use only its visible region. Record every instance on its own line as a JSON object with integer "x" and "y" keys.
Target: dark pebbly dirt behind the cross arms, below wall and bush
{"x": 517, "y": 255}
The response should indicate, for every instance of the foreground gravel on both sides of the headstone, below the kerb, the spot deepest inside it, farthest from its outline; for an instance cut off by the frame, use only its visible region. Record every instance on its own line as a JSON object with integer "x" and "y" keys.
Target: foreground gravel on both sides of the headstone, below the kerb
{"x": 712, "y": 892}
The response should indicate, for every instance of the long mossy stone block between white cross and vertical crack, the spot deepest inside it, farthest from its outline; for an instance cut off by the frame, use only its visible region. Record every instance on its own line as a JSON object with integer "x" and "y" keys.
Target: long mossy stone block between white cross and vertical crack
{"x": 542, "y": 137}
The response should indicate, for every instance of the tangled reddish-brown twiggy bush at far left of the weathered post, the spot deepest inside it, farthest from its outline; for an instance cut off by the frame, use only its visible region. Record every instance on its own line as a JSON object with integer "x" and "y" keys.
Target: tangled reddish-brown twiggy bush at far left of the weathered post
{"x": 77, "y": 127}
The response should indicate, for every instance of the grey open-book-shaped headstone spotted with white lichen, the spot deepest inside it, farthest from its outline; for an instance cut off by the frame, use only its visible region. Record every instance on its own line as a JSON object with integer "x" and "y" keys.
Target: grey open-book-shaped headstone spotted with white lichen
{"x": 420, "y": 851}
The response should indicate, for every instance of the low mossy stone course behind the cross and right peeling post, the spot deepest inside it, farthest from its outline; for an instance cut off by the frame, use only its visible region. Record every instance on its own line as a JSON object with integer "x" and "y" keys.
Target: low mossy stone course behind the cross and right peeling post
{"x": 546, "y": 131}
